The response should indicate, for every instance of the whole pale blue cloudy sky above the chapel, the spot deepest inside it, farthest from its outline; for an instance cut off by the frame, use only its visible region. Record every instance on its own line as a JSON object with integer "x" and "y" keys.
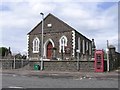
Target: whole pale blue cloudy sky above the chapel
{"x": 96, "y": 19}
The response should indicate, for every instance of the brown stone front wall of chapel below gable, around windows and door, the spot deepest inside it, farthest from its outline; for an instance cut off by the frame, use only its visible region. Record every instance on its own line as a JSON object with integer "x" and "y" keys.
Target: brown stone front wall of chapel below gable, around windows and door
{"x": 55, "y": 37}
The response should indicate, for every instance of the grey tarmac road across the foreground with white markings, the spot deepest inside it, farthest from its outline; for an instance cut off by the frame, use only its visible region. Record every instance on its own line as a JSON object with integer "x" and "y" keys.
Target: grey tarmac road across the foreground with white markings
{"x": 56, "y": 81}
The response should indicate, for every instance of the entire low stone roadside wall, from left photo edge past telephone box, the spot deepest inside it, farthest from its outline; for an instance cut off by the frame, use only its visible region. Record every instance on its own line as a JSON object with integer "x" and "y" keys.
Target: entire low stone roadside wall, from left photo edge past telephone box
{"x": 50, "y": 65}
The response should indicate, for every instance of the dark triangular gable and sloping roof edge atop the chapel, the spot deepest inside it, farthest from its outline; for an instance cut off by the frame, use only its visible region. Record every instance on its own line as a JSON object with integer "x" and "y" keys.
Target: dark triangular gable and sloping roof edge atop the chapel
{"x": 57, "y": 26}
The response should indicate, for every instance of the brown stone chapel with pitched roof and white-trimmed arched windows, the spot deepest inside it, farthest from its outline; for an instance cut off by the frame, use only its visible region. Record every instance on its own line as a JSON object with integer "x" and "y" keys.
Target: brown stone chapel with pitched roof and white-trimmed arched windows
{"x": 60, "y": 41}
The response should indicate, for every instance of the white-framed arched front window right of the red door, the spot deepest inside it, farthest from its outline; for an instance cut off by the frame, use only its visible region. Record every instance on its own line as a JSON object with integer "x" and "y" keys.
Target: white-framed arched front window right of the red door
{"x": 63, "y": 43}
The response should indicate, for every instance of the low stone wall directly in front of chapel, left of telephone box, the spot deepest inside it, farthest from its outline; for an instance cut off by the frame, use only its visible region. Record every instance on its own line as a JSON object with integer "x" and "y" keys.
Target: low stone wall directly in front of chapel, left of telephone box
{"x": 64, "y": 65}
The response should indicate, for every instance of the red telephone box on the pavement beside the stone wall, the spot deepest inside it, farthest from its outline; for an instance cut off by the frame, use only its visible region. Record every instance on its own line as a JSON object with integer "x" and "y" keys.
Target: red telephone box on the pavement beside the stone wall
{"x": 99, "y": 61}
